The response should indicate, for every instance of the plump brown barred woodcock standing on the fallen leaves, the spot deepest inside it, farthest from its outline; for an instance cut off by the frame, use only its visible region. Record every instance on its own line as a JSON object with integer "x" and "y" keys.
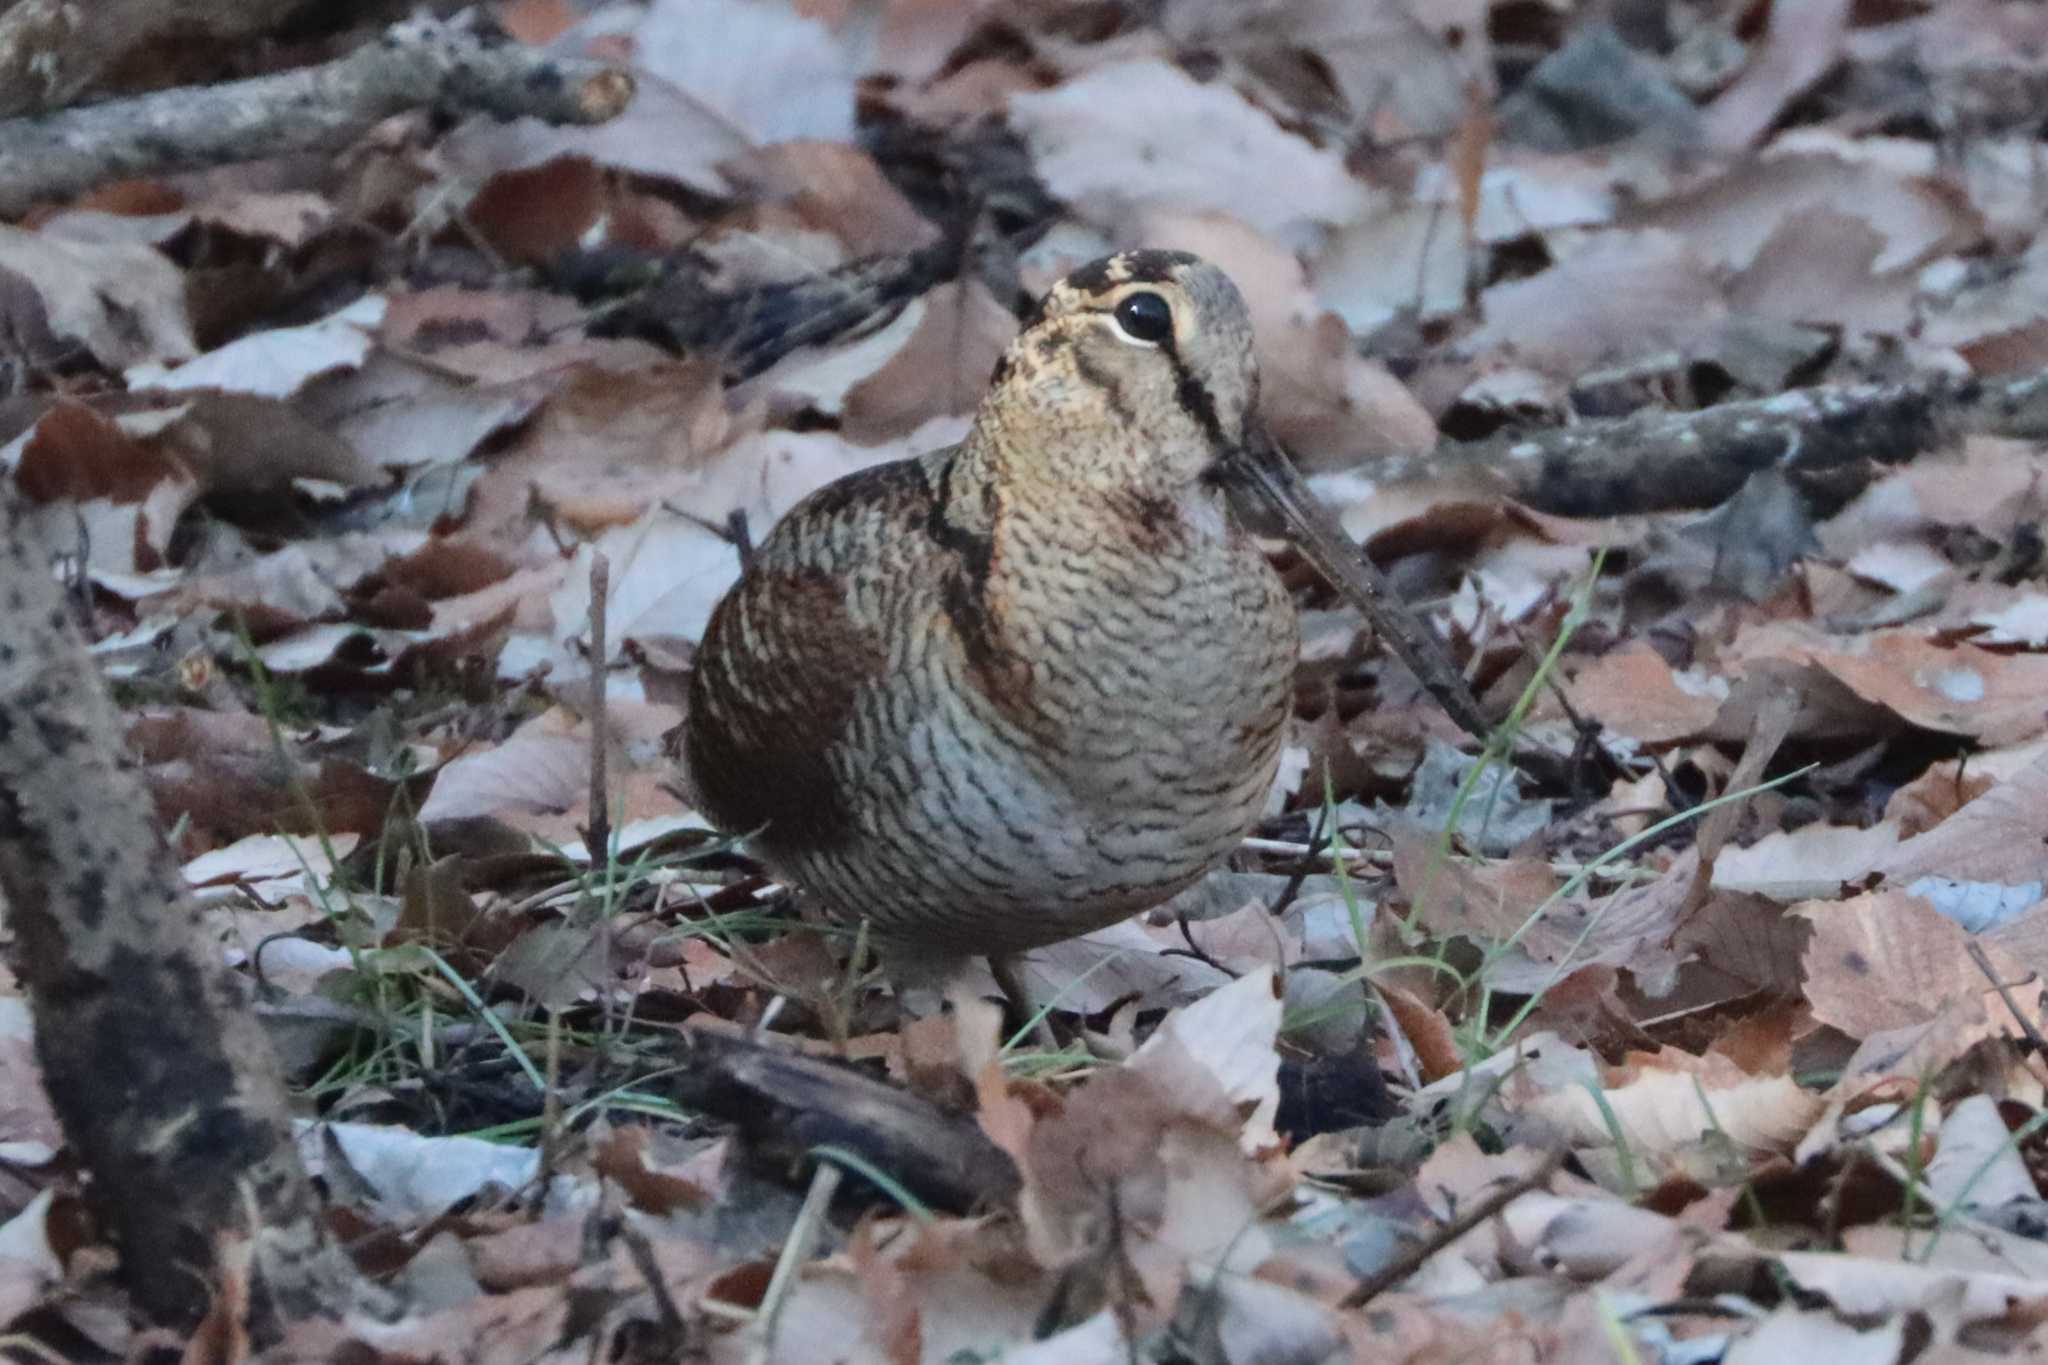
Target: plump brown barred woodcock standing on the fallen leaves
{"x": 1031, "y": 685}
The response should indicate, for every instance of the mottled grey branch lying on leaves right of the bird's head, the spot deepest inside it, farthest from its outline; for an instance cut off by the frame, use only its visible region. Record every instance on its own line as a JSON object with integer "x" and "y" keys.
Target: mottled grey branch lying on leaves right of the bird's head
{"x": 1664, "y": 461}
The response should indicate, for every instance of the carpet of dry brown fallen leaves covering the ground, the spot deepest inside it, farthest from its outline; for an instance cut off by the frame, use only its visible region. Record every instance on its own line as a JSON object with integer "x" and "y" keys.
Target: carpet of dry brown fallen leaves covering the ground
{"x": 1707, "y": 1030}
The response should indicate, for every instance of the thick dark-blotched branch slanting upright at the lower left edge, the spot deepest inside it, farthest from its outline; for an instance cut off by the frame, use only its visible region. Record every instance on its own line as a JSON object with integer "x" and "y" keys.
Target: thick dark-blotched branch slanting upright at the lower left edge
{"x": 165, "y": 1084}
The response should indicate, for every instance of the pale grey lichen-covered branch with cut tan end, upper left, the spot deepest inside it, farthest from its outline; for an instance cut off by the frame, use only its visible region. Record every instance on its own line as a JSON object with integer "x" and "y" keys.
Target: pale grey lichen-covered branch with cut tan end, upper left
{"x": 413, "y": 64}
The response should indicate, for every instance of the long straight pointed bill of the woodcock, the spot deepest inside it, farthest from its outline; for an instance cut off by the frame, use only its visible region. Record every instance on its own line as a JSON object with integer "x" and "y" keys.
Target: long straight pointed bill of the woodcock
{"x": 1263, "y": 476}
